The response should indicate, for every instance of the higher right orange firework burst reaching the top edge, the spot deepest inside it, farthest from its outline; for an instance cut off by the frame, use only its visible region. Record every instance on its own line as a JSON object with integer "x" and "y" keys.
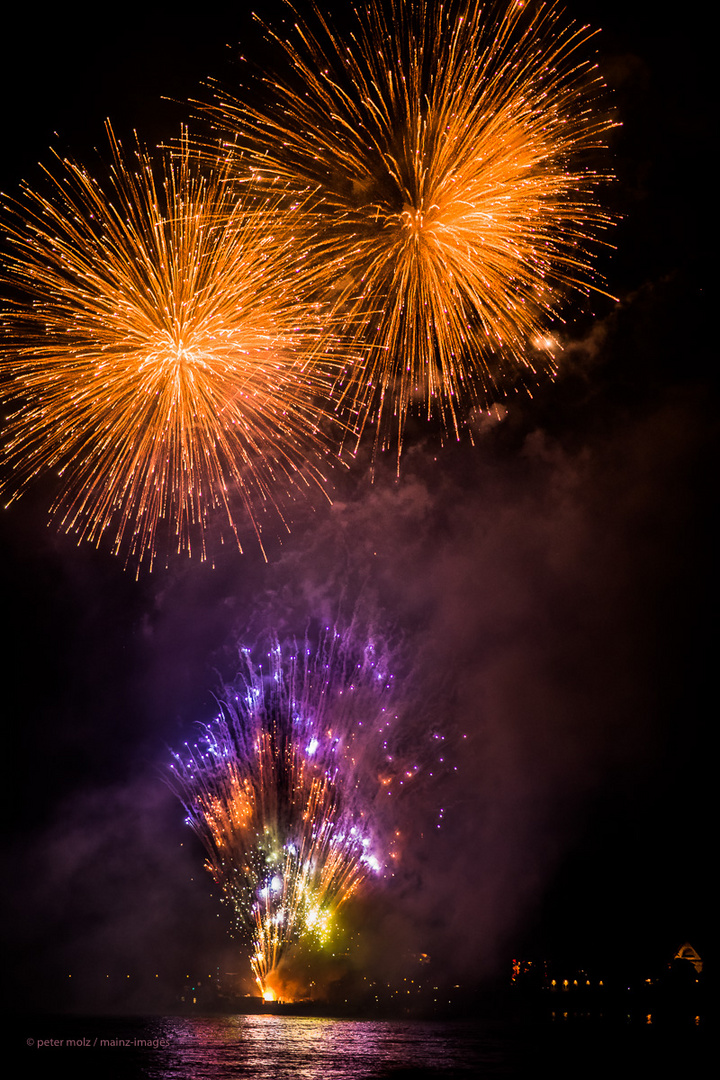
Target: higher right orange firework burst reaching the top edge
{"x": 449, "y": 150}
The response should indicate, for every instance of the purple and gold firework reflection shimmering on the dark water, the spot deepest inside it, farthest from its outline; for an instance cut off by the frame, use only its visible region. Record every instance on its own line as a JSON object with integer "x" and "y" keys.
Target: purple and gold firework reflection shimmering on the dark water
{"x": 275, "y": 1048}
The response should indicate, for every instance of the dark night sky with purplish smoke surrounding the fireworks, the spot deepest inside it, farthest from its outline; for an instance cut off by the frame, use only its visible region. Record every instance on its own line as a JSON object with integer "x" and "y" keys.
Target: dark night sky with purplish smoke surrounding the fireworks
{"x": 554, "y": 584}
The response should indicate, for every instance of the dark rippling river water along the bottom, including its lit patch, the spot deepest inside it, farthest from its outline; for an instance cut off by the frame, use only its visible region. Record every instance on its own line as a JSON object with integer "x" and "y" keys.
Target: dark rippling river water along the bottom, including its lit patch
{"x": 280, "y": 1048}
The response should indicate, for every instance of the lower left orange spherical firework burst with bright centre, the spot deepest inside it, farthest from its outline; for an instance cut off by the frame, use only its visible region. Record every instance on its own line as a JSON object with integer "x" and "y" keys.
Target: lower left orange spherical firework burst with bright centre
{"x": 160, "y": 353}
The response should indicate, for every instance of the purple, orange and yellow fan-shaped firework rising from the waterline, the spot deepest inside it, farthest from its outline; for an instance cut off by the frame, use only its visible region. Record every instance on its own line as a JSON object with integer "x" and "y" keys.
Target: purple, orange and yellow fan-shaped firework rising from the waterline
{"x": 288, "y": 791}
